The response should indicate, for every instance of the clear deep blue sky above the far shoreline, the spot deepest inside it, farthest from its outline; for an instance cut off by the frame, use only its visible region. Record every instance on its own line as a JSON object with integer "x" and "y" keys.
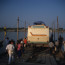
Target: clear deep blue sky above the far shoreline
{"x": 32, "y": 11}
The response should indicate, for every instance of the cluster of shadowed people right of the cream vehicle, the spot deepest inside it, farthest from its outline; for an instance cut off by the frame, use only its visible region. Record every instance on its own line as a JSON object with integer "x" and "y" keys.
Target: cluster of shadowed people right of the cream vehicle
{"x": 56, "y": 46}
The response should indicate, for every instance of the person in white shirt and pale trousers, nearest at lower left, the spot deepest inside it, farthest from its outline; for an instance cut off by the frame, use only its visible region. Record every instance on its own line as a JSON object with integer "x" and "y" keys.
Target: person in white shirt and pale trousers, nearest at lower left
{"x": 10, "y": 49}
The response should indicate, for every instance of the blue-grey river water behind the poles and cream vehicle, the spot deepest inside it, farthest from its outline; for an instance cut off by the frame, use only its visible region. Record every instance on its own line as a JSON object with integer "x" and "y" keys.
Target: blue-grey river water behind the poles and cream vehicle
{"x": 13, "y": 35}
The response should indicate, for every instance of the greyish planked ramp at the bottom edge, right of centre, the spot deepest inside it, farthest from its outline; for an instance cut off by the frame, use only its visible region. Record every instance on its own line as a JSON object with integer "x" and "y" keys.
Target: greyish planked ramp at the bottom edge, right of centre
{"x": 46, "y": 60}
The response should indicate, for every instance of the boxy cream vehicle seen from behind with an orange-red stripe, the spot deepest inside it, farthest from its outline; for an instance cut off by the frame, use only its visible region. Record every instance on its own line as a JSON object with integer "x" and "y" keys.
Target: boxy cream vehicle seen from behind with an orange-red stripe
{"x": 38, "y": 35}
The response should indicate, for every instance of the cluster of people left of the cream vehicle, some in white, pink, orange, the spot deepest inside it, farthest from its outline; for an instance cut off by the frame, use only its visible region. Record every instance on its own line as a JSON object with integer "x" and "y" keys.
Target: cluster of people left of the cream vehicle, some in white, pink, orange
{"x": 17, "y": 48}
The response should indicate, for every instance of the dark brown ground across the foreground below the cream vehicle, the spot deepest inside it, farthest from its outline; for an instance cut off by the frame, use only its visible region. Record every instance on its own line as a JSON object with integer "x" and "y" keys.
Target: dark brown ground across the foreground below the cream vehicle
{"x": 34, "y": 56}
